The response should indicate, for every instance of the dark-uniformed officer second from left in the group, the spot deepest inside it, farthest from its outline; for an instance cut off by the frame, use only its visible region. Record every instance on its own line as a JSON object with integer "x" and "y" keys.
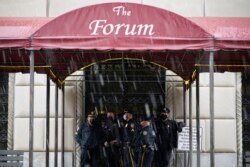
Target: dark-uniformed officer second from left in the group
{"x": 112, "y": 141}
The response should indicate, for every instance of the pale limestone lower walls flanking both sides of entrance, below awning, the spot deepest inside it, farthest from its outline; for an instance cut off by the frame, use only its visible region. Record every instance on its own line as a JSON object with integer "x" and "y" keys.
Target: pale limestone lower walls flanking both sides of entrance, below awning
{"x": 225, "y": 102}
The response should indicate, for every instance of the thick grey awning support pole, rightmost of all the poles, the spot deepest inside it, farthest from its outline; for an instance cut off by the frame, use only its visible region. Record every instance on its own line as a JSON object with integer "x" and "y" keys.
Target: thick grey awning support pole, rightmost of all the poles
{"x": 211, "y": 87}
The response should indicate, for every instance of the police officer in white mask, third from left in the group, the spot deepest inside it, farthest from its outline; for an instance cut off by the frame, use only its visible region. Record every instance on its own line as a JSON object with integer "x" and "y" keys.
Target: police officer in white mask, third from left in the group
{"x": 128, "y": 131}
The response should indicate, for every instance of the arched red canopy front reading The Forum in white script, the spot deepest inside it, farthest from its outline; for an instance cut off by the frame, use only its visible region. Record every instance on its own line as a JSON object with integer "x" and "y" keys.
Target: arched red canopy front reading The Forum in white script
{"x": 121, "y": 26}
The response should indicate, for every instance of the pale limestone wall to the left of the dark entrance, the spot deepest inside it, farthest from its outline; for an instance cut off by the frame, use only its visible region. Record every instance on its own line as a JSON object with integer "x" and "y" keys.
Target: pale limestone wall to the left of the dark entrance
{"x": 21, "y": 118}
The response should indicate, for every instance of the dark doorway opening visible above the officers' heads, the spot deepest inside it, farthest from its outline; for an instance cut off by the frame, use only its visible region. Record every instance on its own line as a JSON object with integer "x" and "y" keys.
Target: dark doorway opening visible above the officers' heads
{"x": 125, "y": 84}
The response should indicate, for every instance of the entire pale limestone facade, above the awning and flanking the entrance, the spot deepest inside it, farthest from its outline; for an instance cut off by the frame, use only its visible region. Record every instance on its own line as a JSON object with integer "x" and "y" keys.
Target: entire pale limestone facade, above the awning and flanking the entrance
{"x": 225, "y": 84}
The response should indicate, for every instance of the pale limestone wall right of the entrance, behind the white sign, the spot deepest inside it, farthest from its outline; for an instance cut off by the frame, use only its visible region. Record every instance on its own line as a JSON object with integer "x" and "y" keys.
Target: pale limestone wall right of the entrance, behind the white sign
{"x": 226, "y": 99}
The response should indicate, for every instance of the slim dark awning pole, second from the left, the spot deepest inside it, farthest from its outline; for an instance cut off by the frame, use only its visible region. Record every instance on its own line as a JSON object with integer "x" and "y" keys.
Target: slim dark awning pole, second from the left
{"x": 47, "y": 119}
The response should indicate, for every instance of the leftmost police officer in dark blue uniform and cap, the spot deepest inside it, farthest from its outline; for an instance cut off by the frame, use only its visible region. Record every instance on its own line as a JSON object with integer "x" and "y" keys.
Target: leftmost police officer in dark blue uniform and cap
{"x": 88, "y": 137}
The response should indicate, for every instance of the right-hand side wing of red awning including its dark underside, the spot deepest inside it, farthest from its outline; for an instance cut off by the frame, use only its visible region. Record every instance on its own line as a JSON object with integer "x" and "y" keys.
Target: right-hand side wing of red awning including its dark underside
{"x": 232, "y": 41}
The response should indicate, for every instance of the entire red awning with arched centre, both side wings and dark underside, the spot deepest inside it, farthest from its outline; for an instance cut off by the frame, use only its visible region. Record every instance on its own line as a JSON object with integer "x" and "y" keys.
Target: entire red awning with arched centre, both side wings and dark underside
{"x": 122, "y": 30}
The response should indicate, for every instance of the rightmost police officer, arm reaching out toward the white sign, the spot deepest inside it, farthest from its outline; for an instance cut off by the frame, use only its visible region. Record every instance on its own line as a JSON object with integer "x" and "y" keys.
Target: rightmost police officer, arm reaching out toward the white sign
{"x": 167, "y": 136}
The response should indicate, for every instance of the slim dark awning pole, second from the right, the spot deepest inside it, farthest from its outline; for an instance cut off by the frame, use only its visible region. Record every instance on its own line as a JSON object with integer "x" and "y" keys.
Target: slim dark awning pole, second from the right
{"x": 198, "y": 116}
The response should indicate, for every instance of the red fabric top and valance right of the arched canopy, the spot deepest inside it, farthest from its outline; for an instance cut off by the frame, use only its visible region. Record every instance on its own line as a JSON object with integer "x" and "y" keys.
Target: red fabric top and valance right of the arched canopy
{"x": 229, "y": 33}
